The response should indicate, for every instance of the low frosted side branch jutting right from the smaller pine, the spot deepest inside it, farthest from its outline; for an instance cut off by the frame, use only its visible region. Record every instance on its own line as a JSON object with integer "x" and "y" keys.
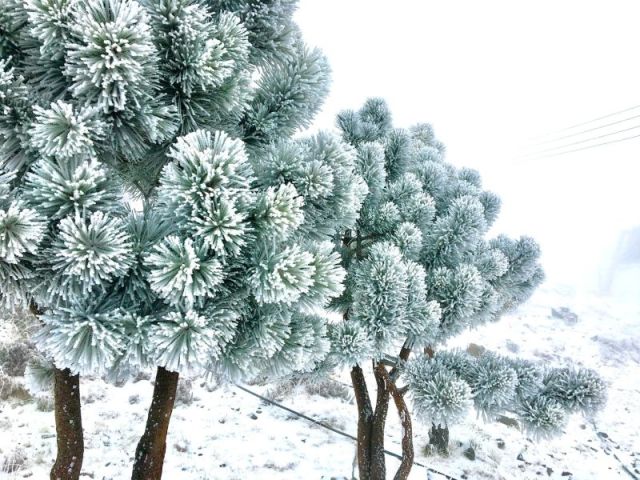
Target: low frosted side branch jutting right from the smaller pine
{"x": 446, "y": 386}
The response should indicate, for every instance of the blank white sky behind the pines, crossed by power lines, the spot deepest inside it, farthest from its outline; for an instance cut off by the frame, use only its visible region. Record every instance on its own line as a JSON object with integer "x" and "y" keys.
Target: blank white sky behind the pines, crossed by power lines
{"x": 490, "y": 76}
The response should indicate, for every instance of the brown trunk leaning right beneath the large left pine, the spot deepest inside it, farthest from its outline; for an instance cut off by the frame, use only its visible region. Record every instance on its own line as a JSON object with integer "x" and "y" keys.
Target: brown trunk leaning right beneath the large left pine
{"x": 151, "y": 448}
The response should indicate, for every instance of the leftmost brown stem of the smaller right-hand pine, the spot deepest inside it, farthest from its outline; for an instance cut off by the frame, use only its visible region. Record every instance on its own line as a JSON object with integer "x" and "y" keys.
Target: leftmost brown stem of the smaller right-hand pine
{"x": 365, "y": 420}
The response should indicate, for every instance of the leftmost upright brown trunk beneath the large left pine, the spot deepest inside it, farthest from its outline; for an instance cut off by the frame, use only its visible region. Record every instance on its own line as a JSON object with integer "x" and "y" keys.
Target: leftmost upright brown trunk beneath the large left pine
{"x": 68, "y": 426}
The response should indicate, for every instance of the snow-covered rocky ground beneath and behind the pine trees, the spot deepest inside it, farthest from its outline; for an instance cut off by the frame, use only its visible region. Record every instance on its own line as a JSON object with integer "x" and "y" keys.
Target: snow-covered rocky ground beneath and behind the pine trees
{"x": 225, "y": 433}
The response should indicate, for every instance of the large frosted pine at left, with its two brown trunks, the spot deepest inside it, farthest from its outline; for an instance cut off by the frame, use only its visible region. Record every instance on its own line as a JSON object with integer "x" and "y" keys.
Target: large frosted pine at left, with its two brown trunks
{"x": 154, "y": 209}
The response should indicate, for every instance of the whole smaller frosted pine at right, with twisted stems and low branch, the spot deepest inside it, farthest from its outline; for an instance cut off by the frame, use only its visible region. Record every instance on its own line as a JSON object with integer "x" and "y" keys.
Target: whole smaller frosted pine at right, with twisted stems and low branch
{"x": 419, "y": 271}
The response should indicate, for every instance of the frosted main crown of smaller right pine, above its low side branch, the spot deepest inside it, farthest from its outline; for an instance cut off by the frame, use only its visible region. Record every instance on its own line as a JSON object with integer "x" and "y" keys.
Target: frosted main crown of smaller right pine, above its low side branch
{"x": 419, "y": 267}
